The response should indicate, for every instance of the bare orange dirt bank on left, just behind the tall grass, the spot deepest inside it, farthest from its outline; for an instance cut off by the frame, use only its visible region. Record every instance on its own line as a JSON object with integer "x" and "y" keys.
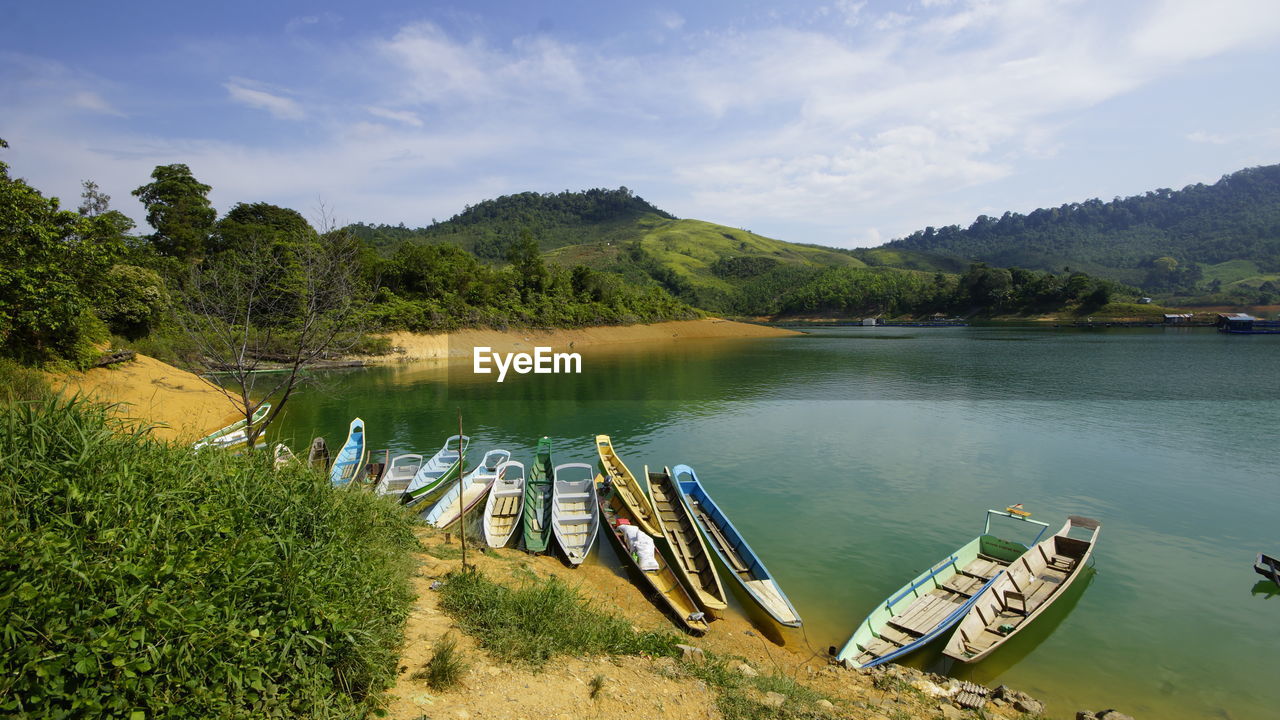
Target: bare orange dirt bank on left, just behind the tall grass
{"x": 180, "y": 404}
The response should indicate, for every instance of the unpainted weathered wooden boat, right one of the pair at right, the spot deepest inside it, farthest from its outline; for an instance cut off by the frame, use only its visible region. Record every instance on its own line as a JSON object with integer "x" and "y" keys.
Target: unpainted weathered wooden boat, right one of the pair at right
{"x": 1022, "y": 594}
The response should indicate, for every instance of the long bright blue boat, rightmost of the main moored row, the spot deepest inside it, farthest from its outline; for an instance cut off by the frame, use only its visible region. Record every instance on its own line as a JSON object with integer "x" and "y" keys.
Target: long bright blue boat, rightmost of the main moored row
{"x": 733, "y": 552}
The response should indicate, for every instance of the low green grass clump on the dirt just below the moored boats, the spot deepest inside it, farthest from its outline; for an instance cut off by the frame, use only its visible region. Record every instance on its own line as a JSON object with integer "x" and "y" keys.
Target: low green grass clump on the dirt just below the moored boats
{"x": 542, "y": 618}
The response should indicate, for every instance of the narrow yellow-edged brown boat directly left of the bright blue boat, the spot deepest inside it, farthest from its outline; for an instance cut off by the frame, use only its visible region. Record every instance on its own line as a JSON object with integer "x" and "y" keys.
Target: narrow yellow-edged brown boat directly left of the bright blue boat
{"x": 689, "y": 557}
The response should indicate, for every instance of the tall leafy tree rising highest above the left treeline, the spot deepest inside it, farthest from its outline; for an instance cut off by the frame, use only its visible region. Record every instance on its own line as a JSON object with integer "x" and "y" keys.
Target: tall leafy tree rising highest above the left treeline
{"x": 180, "y": 212}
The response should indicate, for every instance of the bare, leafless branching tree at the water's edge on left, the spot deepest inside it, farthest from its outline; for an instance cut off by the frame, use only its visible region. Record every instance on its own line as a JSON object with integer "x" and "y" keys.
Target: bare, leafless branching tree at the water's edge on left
{"x": 263, "y": 308}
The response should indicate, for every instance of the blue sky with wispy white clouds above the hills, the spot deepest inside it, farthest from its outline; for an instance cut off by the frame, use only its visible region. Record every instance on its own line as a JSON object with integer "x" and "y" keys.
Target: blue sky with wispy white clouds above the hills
{"x": 844, "y": 124}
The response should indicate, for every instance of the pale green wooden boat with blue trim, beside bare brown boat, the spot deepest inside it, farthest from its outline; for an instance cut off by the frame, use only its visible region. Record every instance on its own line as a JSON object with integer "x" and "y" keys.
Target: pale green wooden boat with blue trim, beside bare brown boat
{"x": 935, "y": 600}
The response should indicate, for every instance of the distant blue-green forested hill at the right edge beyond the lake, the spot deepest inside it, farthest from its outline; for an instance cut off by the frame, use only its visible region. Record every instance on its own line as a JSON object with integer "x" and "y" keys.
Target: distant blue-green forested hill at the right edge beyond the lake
{"x": 1164, "y": 240}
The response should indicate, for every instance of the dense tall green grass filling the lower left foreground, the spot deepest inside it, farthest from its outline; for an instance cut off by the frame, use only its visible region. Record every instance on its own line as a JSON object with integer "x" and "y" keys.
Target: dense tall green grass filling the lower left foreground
{"x": 143, "y": 580}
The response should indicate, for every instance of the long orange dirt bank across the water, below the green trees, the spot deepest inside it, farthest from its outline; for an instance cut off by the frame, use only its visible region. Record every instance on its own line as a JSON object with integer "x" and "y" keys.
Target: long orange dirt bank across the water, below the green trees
{"x": 458, "y": 345}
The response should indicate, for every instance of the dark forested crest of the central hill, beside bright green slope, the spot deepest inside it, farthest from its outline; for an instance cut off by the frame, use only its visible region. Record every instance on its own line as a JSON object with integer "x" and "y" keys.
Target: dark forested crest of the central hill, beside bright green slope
{"x": 555, "y": 220}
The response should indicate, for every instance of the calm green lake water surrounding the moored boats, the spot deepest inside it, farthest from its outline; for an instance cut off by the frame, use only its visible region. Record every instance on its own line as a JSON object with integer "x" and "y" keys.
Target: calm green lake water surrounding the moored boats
{"x": 853, "y": 459}
